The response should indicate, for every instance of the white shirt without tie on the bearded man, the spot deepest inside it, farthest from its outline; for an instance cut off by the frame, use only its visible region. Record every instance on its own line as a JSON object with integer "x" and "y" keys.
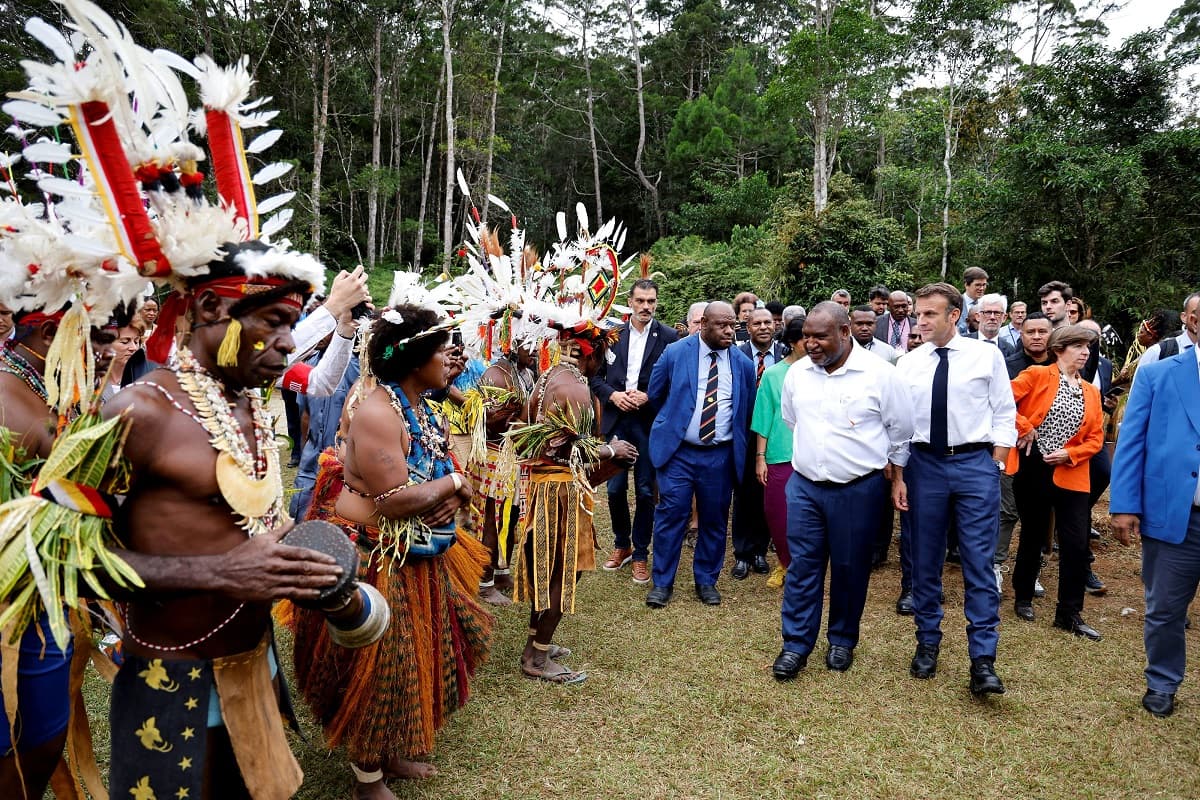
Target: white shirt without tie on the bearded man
{"x": 849, "y": 423}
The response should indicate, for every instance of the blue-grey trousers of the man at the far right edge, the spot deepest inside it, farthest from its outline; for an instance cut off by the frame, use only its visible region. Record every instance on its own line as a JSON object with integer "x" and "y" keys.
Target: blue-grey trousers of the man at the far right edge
{"x": 1172, "y": 574}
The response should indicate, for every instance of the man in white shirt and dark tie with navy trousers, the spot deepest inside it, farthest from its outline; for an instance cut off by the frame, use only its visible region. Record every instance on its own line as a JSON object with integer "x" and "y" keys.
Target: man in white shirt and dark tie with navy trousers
{"x": 952, "y": 470}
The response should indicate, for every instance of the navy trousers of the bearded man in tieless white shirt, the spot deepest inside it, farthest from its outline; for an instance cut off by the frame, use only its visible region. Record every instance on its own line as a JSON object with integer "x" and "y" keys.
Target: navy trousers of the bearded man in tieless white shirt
{"x": 830, "y": 527}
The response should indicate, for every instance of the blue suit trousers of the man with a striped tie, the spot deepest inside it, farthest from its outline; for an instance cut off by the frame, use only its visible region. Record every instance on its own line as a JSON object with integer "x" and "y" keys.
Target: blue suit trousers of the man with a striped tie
{"x": 709, "y": 476}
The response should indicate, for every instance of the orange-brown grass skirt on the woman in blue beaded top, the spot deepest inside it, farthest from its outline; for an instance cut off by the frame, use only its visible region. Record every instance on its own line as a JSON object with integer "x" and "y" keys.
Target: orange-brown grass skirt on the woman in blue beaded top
{"x": 392, "y": 699}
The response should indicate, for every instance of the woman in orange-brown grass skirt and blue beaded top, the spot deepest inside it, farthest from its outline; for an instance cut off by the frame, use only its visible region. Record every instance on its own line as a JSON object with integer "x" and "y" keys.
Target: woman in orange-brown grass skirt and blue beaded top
{"x": 385, "y": 703}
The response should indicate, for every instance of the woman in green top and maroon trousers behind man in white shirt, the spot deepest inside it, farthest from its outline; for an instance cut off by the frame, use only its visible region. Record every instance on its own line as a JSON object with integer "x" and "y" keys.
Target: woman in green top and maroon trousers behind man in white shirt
{"x": 773, "y": 454}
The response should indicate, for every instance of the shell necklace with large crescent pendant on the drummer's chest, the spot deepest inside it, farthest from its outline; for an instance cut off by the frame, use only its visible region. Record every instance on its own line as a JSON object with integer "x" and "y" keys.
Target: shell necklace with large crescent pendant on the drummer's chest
{"x": 250, "y": 484}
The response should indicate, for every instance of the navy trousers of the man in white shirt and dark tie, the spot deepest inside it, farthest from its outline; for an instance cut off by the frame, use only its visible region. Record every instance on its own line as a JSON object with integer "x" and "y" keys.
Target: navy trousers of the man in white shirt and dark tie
{"x": 964, "y": 489}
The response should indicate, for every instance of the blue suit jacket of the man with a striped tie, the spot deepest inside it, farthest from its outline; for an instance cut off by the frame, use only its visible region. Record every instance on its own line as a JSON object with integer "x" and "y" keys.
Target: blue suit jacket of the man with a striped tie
{"x": 673, "y": 393}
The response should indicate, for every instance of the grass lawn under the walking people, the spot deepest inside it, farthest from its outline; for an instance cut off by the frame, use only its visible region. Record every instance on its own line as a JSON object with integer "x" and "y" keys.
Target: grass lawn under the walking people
{"x": 681, "y": 705}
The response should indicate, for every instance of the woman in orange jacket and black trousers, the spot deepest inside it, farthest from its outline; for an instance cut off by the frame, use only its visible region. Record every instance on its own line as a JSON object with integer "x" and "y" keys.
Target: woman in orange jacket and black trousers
{"x": 1060, "y": 424}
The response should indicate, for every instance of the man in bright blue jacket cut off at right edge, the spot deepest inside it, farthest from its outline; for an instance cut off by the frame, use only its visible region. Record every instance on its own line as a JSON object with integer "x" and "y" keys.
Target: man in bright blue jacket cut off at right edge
{"x": 1156, "y": 495}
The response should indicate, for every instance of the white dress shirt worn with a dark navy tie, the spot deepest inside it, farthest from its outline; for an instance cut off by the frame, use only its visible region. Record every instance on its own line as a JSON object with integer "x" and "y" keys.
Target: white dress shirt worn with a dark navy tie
{"x": 980, "y": 396}
